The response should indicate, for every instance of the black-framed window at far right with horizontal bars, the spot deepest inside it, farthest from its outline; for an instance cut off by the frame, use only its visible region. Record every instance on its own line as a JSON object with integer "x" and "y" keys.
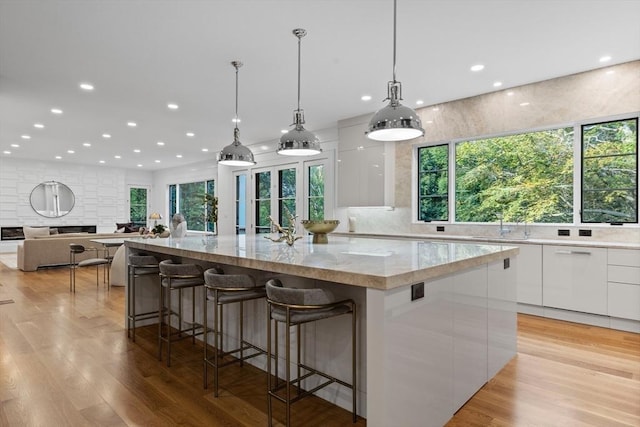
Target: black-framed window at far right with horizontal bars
{"x": 610, "y": 172}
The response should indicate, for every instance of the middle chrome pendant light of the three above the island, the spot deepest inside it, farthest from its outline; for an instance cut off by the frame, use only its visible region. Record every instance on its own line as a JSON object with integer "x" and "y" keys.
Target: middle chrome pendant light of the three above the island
{"x": 299, "y": 141}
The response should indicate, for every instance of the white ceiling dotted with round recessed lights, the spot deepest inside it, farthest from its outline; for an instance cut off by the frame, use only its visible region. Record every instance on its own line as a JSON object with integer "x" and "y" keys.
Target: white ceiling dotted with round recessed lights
{"x": 142, "y": 54}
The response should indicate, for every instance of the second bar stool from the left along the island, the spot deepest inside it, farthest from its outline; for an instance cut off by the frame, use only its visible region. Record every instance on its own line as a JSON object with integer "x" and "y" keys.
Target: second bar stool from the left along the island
{"x": 174, "y": 276}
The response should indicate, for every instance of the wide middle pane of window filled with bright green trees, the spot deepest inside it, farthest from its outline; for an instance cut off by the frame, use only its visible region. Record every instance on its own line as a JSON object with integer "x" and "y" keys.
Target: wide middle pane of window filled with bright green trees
{"x": 527, "y": 176}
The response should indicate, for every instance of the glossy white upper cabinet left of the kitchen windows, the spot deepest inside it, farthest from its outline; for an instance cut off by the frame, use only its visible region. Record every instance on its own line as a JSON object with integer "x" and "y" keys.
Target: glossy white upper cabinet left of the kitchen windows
{"x": 364, "y": 167}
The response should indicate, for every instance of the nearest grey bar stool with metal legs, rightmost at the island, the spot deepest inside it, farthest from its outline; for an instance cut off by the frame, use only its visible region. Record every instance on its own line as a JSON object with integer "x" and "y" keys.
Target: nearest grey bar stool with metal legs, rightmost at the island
{"x": 295, "y": 307}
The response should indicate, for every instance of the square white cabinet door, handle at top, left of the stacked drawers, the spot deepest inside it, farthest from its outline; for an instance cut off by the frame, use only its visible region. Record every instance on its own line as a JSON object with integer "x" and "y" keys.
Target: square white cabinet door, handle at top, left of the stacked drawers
{"x": 575, "y": 278}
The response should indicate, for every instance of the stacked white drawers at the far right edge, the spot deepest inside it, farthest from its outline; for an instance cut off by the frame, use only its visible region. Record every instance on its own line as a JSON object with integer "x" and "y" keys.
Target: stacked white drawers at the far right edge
{"x": 623, "y": 283}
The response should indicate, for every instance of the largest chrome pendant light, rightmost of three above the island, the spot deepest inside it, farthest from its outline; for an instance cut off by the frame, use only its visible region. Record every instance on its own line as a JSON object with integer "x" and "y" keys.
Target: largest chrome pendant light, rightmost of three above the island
{"x": 395, "y": 122}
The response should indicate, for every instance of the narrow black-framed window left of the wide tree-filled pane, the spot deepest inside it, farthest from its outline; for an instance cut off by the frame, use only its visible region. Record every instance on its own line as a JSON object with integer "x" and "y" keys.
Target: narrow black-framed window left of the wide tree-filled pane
{"x": 433, "y": 183}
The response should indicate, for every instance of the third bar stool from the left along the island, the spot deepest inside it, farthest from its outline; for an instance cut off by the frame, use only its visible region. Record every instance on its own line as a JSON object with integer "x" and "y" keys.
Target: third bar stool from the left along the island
{"x": 225, "y": 289}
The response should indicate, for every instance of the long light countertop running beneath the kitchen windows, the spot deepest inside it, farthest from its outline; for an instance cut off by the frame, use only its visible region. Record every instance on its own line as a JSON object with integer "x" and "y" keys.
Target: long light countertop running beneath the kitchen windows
{"x": 498, "y": 240}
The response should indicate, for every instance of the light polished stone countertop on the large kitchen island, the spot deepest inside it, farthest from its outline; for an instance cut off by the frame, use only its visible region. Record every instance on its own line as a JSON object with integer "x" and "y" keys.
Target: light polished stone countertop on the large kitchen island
{"x": 368, "y": 262}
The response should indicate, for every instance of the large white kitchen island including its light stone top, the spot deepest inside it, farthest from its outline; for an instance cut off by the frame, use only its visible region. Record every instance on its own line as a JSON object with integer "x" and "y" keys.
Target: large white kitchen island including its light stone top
{"x": 420, "y": 360}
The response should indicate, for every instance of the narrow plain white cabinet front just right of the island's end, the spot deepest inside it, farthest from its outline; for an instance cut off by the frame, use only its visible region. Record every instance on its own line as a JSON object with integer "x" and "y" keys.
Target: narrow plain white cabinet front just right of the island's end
{"x": 530, "y": 274}
